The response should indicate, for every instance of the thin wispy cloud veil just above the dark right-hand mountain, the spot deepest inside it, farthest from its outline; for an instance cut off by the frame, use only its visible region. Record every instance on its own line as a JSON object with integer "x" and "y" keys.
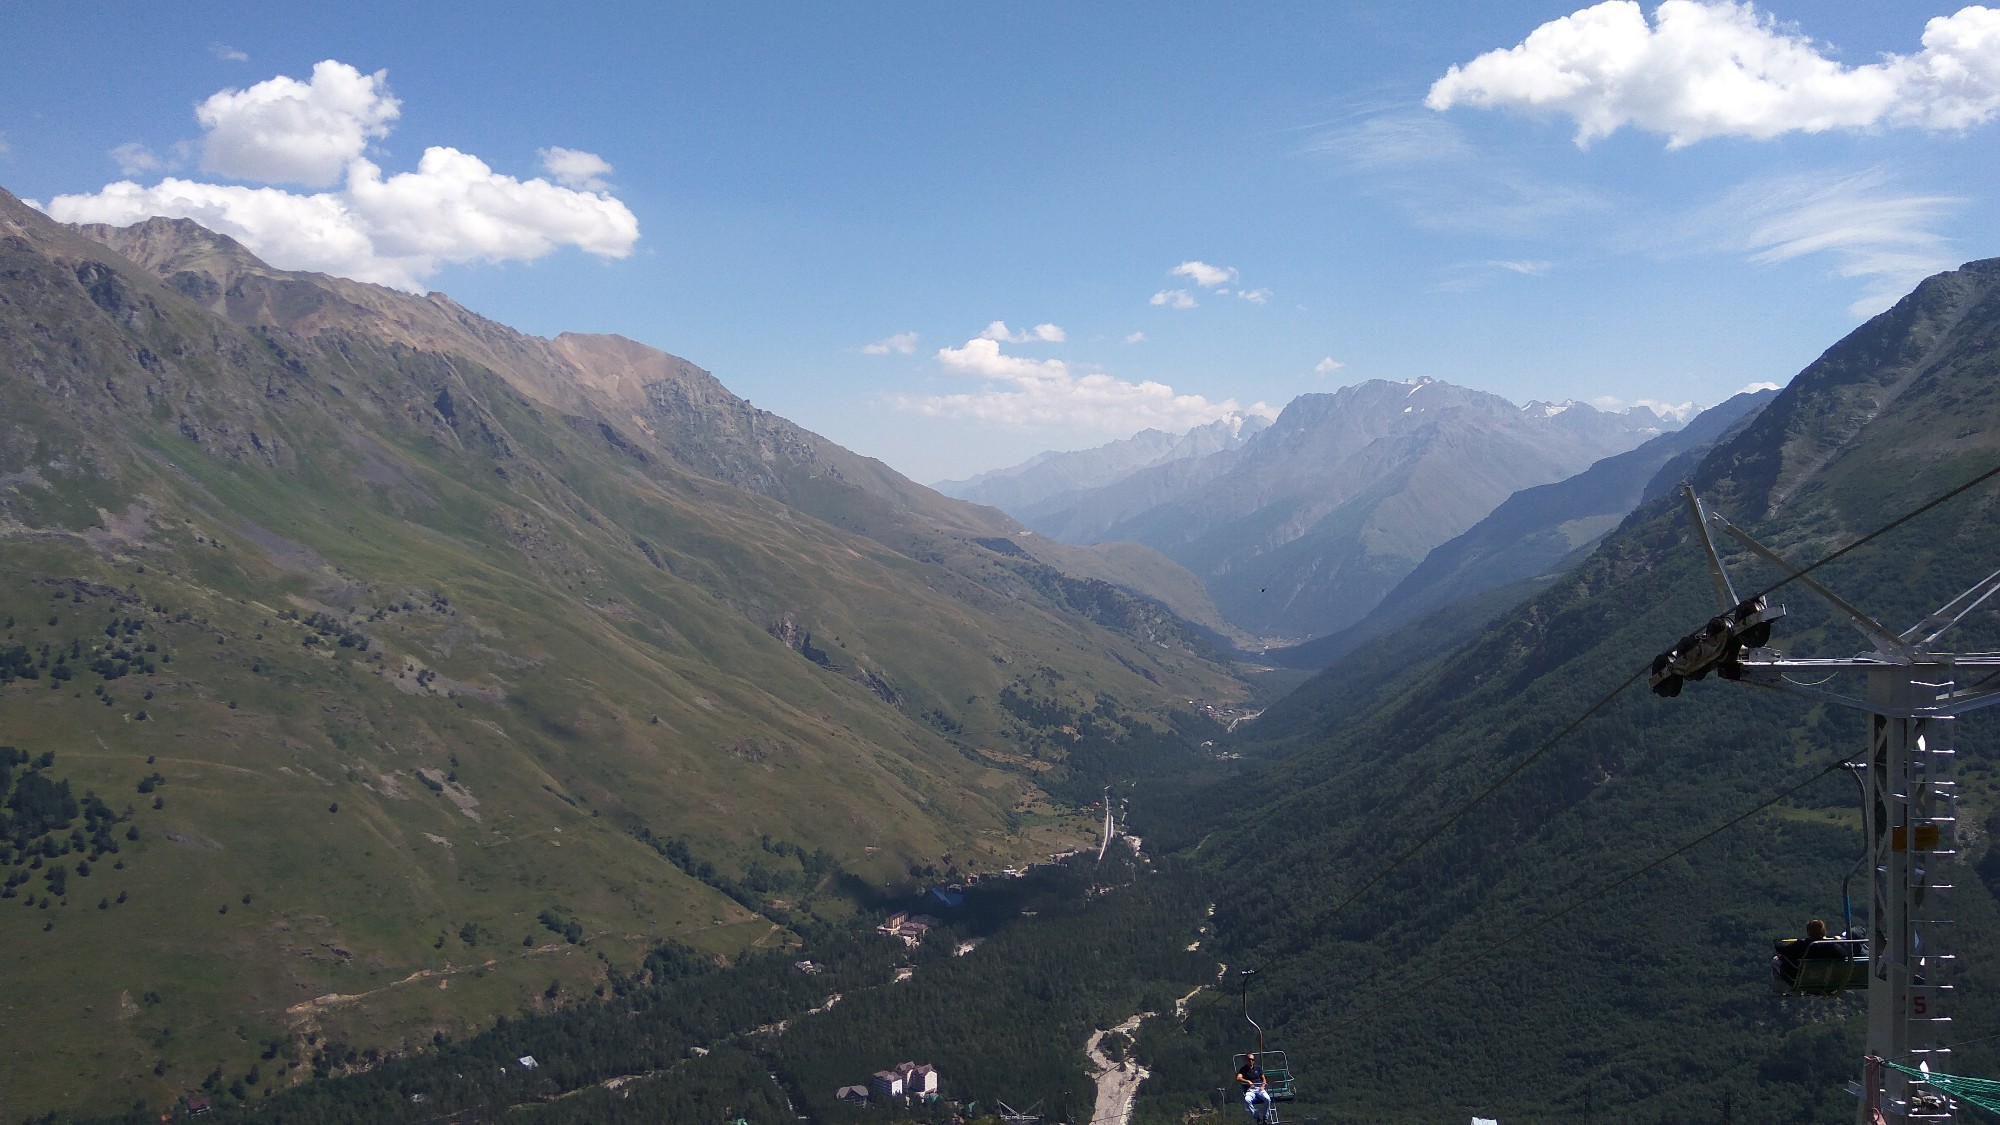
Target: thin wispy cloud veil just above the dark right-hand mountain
{"x": 1875, "y": 231}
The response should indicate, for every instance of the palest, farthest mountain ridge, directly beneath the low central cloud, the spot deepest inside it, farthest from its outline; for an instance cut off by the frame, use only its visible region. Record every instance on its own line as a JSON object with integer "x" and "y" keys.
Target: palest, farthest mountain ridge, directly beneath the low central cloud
{"x": 1049, "y": 475}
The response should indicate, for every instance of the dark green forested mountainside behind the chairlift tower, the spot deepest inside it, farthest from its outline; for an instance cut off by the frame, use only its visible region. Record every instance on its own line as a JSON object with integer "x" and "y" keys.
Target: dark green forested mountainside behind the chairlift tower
{"x": 1649, "y": 1004}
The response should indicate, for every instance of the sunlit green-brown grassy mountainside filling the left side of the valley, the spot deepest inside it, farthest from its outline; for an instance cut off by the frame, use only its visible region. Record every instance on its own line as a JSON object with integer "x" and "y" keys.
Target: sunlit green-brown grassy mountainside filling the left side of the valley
{"x": 389, "y": 638}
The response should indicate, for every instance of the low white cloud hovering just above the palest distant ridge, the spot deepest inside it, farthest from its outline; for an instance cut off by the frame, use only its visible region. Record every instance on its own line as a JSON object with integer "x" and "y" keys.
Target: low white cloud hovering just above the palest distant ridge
{"x": 1047, "y": 393}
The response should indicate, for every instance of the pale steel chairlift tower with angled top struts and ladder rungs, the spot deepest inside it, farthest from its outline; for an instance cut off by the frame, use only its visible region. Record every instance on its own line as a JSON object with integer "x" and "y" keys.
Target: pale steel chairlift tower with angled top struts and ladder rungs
{"x": 1911, "y": 694}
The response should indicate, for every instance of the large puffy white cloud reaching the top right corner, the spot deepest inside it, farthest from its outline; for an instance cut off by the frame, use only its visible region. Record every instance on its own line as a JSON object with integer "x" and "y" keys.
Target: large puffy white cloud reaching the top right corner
{"x": 1721, "y": 69}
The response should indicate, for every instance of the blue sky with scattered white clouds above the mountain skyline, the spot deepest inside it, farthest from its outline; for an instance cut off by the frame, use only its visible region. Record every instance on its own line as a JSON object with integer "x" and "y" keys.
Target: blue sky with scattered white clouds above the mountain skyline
{"x": 955, "y": 235}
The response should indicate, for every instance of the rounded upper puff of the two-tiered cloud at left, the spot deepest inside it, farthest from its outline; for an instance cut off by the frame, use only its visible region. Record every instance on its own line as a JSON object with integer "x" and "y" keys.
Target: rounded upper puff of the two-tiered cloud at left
{"x": 285, "y": 131}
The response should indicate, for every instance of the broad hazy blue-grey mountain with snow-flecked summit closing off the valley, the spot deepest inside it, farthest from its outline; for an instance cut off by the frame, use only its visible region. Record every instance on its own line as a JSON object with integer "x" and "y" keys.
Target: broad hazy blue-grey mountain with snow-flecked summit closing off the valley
{"x": 1307, "y": 525}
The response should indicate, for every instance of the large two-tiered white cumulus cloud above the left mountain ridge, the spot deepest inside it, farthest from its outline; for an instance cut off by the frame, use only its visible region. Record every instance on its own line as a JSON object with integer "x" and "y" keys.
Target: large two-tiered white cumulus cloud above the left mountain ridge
{"x": 391, "y": 229}
